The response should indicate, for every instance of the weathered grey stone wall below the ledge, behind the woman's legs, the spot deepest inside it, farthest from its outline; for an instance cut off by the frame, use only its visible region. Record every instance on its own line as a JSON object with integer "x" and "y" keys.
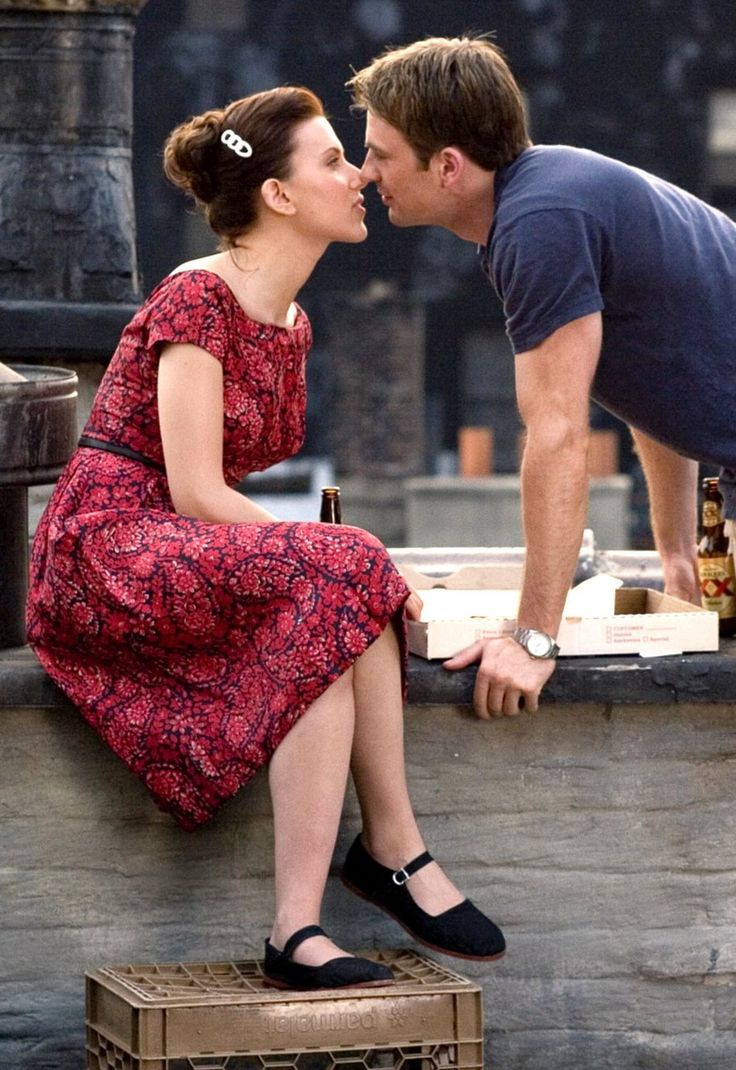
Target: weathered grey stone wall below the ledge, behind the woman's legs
{"x": 602, "y": 837}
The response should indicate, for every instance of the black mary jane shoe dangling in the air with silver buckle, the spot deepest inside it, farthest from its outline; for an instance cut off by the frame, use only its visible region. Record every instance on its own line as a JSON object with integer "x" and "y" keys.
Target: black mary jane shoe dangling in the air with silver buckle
{"x": 463, "y": 931}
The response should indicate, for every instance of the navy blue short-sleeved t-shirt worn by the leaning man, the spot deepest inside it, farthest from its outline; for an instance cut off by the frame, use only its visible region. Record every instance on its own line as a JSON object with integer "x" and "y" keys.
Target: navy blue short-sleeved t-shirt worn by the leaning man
{"x": 575, "y": 233}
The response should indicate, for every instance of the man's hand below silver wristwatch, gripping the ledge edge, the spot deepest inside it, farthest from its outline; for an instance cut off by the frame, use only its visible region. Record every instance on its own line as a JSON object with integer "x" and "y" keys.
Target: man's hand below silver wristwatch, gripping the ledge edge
{"x": 509, "y": 680}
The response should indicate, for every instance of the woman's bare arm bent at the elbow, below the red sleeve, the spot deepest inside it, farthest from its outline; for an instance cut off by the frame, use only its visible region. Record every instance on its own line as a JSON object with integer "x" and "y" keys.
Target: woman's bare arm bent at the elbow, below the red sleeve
{"x": 191, "y": 416}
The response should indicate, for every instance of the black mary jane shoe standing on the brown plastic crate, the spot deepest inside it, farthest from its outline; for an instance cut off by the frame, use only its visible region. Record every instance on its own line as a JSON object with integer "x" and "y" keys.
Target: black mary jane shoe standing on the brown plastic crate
{"x": 346, "y": 972}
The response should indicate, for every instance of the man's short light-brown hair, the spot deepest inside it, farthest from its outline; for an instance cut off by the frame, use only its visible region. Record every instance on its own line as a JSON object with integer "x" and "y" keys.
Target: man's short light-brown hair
{"x": 448, "y": 91}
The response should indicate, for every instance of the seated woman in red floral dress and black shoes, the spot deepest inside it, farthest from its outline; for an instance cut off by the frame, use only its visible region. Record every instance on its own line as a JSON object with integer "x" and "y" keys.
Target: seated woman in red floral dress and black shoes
{"x": 201, "y": 637}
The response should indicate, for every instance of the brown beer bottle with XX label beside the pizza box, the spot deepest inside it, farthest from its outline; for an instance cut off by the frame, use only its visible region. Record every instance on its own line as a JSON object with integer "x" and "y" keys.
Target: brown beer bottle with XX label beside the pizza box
{"x": 715, "y": 563}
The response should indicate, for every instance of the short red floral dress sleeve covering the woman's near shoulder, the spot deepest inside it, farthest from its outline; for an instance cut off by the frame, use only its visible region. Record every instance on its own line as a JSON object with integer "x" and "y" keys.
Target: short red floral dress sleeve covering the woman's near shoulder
{"x": 189, "y": 308}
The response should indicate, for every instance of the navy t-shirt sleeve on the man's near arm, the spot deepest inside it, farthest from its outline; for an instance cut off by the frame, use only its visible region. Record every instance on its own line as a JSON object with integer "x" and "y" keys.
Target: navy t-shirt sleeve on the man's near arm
{"x": 547, "y": 268}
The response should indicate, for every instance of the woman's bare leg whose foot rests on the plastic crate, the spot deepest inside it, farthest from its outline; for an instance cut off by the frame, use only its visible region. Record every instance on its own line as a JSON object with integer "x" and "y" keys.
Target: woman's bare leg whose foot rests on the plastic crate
{"x": 308, "y": 776}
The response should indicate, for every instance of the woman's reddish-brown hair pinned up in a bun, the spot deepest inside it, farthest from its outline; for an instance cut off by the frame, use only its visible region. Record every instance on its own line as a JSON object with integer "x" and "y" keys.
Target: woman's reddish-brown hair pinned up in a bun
{"x": 227, "y": 186}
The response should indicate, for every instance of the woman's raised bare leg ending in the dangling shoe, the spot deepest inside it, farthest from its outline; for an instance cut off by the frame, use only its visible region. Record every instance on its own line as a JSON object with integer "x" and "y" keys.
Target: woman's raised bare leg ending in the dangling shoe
{"x": 390, "y": 830}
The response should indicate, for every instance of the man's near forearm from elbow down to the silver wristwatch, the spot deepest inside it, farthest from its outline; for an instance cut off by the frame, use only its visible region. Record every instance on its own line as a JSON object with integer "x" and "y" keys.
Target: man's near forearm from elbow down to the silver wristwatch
{"x": 555, "y": 507}
